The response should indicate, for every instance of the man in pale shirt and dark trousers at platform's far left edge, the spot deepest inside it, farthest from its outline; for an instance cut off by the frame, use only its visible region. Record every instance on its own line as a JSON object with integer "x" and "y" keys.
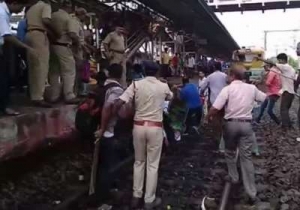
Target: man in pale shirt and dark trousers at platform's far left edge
{"x": 8, "y": 7}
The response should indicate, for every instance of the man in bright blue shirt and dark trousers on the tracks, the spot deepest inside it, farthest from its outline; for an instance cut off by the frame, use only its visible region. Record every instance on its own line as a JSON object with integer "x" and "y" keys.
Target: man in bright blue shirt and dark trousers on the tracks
{"x": 190, "y": 95}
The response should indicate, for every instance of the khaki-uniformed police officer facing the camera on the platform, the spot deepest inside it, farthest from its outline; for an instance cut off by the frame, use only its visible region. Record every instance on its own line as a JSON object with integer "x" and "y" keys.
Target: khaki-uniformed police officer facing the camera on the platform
{"x": 114, "y": 45}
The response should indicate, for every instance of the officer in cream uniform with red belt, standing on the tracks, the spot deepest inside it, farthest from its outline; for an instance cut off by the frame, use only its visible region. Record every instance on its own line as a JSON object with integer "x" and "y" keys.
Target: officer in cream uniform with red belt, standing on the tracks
{"x": 148, "y": 96}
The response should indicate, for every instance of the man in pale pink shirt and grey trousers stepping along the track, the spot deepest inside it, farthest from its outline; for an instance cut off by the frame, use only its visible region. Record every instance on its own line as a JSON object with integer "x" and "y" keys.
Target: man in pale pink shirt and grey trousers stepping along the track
{"x": 238, "y": 99}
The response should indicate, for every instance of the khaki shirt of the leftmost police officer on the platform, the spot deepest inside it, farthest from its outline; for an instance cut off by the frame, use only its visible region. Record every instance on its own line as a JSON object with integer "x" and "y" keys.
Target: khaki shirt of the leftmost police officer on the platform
{"x": 36, "y": 14}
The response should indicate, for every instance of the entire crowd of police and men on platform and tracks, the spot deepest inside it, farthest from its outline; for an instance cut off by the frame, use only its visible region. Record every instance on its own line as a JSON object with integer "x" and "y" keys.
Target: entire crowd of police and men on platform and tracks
{"x": 56, "y": 48}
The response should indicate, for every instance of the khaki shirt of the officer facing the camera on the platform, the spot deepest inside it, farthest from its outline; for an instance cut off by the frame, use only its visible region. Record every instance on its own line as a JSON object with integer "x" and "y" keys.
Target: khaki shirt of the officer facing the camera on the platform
{"x": 115, "y": 42}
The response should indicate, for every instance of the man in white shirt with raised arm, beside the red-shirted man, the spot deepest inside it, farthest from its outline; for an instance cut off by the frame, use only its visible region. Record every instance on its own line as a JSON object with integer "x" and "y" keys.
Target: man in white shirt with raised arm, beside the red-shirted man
{"x": 288, "y": 77}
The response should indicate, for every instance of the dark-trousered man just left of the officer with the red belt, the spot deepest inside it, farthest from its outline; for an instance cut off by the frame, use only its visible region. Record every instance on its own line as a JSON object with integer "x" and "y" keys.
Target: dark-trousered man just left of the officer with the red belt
{"x": 108, "y": 156}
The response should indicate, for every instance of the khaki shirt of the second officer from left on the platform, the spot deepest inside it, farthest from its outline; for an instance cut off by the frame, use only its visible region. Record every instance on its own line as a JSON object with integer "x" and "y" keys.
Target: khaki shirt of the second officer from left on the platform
{"x": 64, "y": 24}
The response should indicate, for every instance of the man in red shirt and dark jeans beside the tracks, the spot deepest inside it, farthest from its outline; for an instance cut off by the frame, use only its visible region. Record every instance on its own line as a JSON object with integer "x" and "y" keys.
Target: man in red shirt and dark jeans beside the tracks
{"x": 273, "y": 84}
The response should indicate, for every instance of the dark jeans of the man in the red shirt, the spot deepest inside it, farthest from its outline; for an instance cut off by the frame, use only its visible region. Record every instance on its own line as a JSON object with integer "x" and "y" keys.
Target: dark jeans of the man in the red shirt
{"x": 269, "y": 103}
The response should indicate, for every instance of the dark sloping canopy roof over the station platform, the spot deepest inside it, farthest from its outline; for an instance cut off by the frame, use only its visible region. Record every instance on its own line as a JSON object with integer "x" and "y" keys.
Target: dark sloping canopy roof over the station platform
{"x": 196, "y": 17}
